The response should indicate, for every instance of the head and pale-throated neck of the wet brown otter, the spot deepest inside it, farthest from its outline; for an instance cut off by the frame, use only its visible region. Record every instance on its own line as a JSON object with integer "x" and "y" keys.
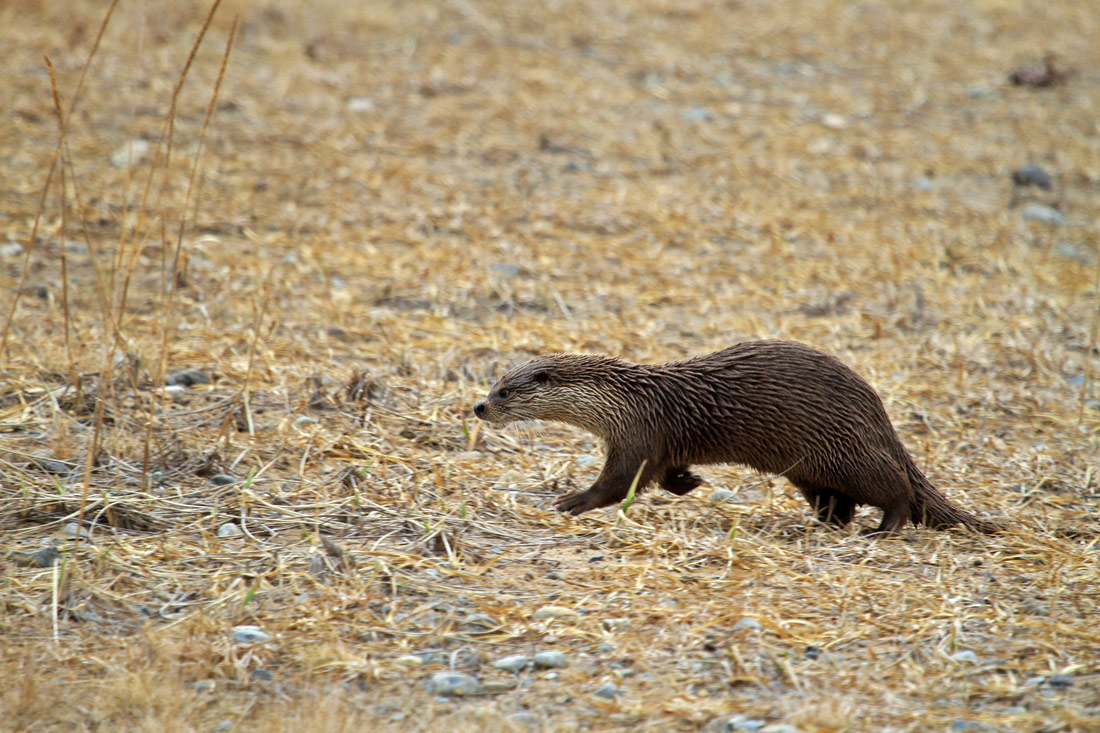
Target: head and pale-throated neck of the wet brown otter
{"x": 565, "y": 388}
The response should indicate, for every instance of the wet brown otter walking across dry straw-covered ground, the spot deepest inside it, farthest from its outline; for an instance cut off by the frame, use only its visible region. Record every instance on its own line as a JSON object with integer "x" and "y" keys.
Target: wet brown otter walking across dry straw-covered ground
{"x": 777, "y": 407}
